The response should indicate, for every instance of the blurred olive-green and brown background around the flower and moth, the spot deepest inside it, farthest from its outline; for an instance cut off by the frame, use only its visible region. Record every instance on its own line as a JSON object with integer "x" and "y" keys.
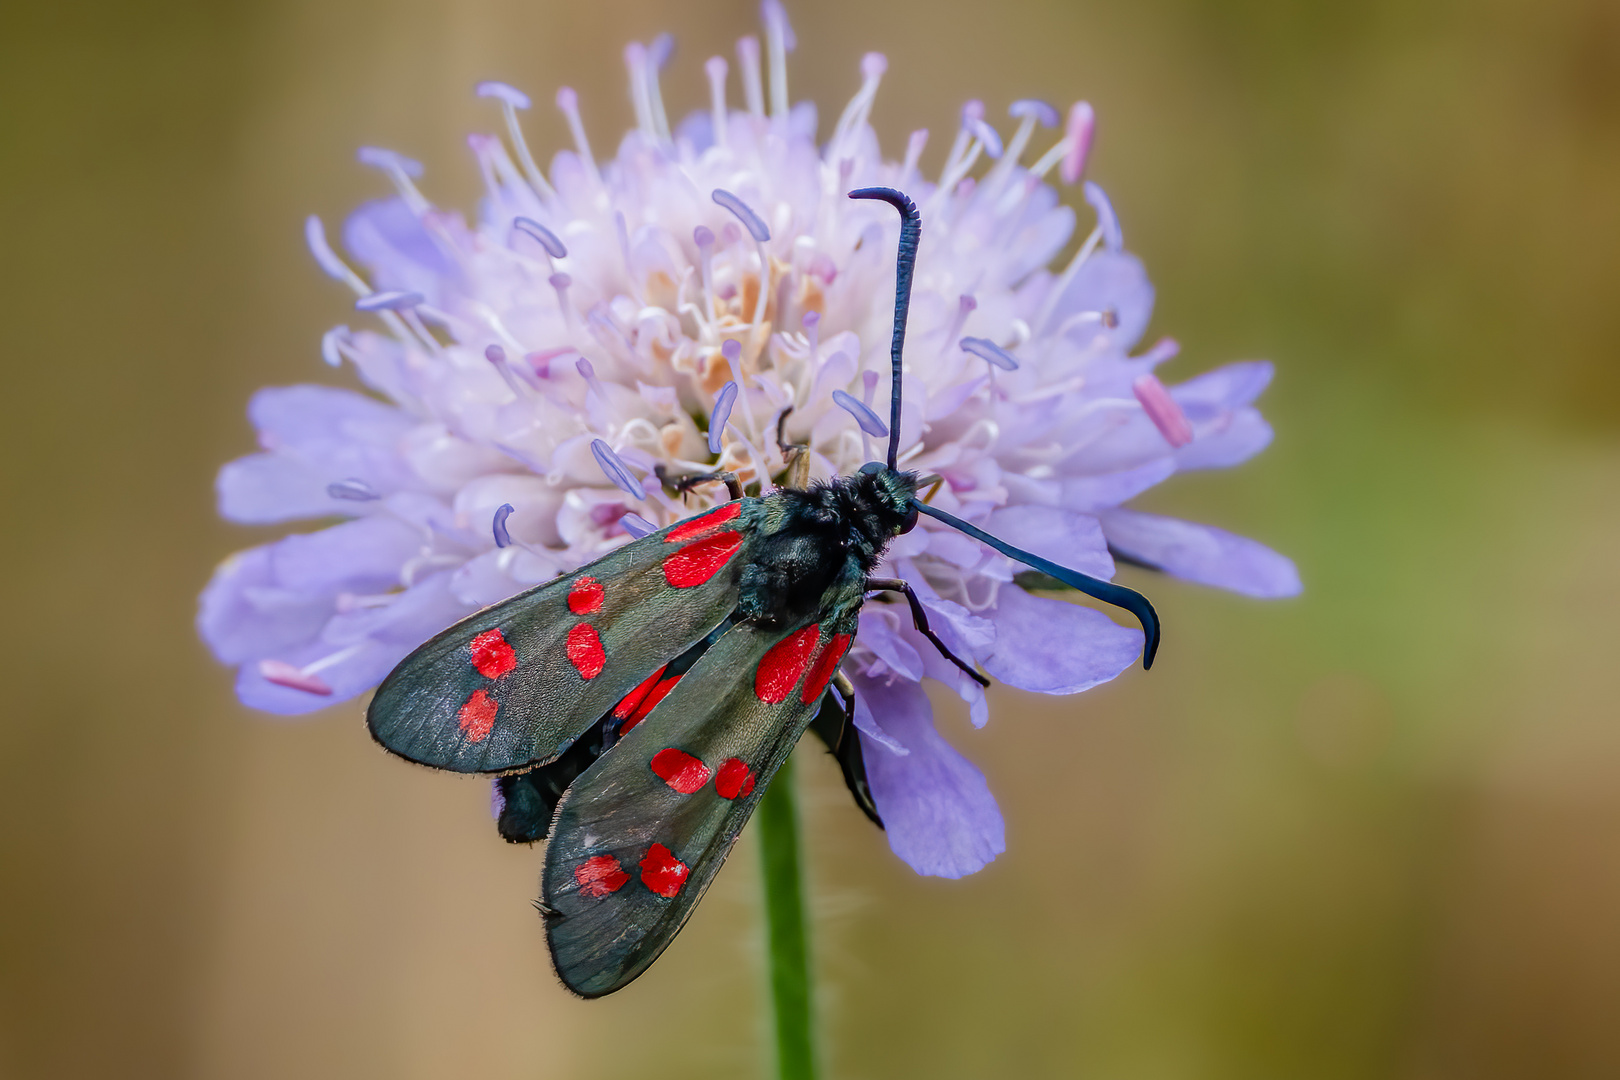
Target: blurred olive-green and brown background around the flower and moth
{"x": 1368, "y": 833}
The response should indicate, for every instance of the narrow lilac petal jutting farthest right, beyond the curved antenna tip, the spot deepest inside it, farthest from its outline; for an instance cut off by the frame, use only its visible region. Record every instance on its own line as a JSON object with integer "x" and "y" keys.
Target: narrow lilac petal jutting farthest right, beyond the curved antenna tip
{"x": 1201, "y": 553}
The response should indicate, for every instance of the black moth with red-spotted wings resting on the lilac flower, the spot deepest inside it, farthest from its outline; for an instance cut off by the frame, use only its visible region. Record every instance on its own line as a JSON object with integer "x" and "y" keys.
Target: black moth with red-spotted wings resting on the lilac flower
{"x": 636, "y": 710}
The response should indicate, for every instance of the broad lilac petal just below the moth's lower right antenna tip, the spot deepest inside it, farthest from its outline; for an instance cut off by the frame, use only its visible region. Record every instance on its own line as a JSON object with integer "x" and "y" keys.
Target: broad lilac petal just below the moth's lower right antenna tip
{"x": 1052, "y": 647}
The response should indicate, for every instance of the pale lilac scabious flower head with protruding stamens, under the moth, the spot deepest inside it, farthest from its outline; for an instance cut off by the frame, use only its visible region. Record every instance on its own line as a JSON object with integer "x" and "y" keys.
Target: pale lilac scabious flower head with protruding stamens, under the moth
{"x": 534, "y": 370}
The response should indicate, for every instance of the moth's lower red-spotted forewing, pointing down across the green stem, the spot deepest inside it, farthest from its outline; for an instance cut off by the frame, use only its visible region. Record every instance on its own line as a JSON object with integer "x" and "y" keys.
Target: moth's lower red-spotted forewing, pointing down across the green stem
{"x": 642, "y": 833}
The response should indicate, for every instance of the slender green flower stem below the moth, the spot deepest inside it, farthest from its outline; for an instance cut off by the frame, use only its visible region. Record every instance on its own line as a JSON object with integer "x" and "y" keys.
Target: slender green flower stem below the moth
{"x": 785, "y": 917}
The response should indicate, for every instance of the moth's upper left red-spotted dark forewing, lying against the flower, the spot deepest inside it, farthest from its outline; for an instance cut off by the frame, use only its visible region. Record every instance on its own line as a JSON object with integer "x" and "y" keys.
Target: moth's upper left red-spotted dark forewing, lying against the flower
{"x": 518, "y": 682}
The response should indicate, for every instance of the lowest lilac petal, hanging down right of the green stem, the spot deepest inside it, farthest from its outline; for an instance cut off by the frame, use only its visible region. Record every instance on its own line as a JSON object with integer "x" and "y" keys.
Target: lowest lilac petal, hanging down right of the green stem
{"x": 937, "y": 809}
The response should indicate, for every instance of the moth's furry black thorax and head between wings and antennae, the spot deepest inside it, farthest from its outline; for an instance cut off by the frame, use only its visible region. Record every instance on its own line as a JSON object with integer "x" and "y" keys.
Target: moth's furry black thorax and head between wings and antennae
{"x": 829, "y": 537}
